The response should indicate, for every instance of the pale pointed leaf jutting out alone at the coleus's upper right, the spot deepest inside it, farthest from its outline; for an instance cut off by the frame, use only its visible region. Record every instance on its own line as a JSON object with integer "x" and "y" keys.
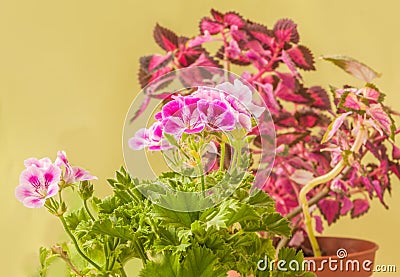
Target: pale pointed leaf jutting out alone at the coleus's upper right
{"x": 353, "y": 67}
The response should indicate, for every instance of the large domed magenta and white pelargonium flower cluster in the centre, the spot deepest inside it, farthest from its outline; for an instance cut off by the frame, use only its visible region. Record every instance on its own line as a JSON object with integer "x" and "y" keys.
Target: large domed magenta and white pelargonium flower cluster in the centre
{"x": 220, "y": 109}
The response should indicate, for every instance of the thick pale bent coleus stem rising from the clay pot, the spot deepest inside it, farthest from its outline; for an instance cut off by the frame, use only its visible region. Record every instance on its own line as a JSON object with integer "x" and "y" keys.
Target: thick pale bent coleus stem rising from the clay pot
{"x": 321, "y": 180}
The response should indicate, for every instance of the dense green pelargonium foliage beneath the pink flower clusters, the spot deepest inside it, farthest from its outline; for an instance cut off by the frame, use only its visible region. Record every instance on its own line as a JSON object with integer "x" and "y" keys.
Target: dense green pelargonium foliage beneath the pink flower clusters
{"x": 208, "y": 242}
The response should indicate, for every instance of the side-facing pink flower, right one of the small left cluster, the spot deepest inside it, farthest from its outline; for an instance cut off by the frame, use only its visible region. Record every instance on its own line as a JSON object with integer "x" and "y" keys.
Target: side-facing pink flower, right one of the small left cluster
{"x": 72, "y": 174}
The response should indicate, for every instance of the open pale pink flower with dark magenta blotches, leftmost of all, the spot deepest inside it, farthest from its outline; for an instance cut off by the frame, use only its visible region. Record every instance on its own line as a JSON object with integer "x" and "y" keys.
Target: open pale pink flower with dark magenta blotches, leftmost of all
{"x": 37, "y": 184}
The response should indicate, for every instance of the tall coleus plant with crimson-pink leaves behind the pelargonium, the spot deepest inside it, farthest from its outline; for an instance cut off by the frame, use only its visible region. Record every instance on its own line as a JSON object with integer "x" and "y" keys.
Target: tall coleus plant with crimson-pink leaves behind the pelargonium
{"x": 322, "y": 142}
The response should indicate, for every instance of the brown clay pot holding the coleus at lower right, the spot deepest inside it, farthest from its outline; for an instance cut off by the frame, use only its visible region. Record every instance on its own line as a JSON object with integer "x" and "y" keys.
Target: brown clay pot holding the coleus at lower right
{"x": 344, "y": 257}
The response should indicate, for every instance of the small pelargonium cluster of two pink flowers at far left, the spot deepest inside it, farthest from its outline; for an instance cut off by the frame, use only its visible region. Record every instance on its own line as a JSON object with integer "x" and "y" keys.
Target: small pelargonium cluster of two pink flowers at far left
{"x": 41, "y": 179}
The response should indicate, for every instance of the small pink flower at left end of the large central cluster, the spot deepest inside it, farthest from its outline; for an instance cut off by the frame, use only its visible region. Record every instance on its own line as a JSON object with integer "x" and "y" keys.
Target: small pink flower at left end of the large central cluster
{"x": 151, "y": 138}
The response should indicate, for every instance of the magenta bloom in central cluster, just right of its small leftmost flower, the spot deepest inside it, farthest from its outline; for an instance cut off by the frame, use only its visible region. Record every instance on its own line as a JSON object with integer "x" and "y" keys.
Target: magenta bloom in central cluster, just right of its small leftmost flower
{"x": 181, "y": 115}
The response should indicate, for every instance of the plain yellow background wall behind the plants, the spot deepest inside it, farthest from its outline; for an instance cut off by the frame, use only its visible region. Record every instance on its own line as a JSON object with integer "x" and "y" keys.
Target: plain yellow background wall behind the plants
{"x": 68, "y": 74}
